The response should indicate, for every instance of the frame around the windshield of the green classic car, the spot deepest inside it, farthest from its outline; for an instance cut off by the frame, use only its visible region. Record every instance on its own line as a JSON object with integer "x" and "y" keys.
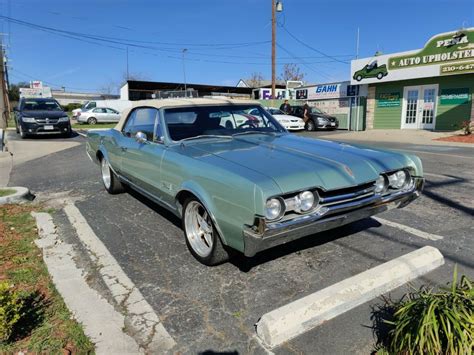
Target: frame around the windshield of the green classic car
{"x": 234, "y": 107}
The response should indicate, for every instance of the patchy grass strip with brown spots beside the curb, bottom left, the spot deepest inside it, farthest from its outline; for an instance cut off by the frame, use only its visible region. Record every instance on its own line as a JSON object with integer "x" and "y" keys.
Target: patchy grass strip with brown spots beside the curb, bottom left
{"x": 46, "y": 325}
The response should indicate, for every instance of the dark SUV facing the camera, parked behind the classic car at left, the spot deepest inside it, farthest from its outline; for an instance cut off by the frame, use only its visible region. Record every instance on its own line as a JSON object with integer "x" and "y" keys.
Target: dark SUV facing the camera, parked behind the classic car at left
{"x": 41, "y": 116}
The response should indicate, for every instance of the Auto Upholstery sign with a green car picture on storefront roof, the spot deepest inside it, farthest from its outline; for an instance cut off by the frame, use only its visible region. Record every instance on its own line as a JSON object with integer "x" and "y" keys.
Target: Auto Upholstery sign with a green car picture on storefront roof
{"x": 444, "y": 54}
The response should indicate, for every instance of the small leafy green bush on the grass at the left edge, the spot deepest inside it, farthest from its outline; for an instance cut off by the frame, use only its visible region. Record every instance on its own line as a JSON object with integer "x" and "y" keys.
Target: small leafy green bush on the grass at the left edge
{"x": 10, "y": 310}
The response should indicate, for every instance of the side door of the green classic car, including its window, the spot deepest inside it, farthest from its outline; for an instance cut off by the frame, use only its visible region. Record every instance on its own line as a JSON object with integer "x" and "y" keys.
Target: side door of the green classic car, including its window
{"x": 141, "y": 160}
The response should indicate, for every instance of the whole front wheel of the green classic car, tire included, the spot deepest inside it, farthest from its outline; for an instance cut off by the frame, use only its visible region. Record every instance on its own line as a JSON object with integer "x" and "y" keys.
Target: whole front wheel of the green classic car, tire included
{"x": 202, "y": 238}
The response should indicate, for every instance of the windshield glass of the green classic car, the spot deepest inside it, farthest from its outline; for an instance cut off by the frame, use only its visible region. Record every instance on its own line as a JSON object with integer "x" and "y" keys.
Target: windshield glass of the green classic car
{"x": 219, "y": 121}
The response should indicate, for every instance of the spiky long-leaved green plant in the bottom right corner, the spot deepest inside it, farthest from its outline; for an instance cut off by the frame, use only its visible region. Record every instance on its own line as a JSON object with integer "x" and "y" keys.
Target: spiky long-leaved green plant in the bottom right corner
{"x": 427, "y": 322}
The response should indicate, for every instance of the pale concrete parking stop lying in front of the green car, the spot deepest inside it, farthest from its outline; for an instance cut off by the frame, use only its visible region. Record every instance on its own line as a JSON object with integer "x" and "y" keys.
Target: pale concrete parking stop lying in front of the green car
{"x": 293, "y": 319}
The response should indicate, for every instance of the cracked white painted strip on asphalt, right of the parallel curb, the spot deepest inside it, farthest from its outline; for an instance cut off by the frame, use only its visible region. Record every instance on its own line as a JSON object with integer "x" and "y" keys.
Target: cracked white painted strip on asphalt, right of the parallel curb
{"x": 145, "y": 324}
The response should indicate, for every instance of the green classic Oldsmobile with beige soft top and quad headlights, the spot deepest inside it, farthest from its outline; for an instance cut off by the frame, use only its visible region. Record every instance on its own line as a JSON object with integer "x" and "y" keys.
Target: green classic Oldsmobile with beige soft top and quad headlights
{"x": 250, "y": 185}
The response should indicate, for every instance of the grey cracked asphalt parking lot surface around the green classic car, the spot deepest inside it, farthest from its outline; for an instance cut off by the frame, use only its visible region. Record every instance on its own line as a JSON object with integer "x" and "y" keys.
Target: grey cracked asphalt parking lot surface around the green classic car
{"x": 215, "y": 309}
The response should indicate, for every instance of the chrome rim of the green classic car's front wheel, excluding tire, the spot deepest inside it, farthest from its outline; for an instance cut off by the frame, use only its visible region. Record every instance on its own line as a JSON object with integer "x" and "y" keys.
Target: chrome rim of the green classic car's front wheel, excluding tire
{"x": 199, "y": 230}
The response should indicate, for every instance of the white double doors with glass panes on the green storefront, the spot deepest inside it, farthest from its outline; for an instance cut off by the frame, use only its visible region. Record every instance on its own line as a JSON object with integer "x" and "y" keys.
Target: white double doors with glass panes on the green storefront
{"x": 419, "y": 107}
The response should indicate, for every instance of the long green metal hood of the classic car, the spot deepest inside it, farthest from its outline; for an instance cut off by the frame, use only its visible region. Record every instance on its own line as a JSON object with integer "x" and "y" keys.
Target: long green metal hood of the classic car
{"x": 295, "y": 163}
